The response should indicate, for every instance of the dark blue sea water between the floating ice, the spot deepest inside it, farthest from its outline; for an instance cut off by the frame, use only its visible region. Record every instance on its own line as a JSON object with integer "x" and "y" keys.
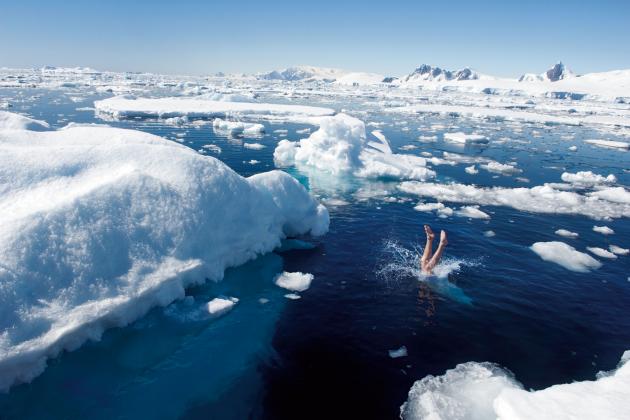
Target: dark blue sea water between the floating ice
{"x": 326, "y": 354}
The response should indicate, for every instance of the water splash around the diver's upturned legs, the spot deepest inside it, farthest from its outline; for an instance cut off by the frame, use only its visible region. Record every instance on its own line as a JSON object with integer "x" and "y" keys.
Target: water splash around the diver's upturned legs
{"x": 401, "y": 263}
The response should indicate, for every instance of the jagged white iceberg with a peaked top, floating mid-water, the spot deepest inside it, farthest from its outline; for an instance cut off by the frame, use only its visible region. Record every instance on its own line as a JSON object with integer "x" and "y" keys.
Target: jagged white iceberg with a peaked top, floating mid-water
{"x": 340, "y": 147}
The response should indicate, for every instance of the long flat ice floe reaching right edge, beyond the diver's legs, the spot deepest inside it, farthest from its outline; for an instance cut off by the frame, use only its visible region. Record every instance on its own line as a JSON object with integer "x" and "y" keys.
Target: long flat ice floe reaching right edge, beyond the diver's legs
{"x": 539, "y": 199}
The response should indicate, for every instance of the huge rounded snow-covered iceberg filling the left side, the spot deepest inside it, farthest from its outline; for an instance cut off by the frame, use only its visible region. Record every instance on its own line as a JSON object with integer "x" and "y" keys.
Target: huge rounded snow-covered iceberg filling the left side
{"x": 101, "y": 224}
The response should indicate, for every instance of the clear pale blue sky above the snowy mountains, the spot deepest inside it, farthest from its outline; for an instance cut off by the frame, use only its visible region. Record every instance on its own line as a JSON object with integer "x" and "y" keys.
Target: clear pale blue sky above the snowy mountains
{"x": 504, "y": 38}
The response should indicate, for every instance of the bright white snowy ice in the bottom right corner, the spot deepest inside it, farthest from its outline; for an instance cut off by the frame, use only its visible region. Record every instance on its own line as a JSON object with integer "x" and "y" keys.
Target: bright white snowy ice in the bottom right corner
{"x": 484, "y": 391}
